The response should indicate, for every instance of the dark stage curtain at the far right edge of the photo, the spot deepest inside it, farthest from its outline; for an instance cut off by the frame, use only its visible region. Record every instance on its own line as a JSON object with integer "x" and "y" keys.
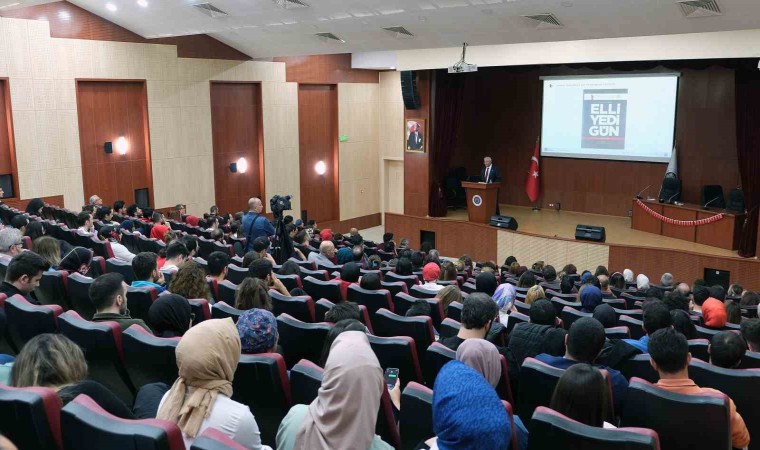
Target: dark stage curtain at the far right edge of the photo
{"x": 748, "y": 153}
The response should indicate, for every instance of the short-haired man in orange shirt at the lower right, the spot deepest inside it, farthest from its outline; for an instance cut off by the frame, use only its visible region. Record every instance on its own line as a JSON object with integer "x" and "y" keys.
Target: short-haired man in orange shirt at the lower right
{"x": 670, "y": 357}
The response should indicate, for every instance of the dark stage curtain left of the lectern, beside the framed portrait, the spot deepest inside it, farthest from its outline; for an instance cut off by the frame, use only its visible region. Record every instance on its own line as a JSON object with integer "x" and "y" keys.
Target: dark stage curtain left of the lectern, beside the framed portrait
{"x": 447, "y": 120}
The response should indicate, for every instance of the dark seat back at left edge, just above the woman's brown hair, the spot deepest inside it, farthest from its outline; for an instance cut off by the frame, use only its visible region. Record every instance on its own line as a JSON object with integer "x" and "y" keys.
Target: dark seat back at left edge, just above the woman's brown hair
{"x": 26, "y": 320}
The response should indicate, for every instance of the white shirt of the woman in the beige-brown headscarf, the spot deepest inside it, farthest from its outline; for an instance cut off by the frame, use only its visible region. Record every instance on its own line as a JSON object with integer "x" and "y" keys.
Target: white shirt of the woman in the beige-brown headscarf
{"x": 231, "y": 418}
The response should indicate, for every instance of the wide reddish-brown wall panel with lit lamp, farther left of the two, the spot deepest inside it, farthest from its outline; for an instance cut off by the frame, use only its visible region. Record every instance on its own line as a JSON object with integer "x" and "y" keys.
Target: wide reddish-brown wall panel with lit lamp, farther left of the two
{"x": 114, "y": 112}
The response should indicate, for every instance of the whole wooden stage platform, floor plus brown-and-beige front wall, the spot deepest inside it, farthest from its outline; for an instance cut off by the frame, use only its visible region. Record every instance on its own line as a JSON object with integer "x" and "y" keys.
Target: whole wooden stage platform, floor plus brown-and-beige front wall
{"x": 549, "y": 235}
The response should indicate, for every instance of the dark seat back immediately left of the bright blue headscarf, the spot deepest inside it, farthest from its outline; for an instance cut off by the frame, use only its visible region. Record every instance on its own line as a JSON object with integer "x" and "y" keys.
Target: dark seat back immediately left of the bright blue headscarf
{"x": 416, "y": 416}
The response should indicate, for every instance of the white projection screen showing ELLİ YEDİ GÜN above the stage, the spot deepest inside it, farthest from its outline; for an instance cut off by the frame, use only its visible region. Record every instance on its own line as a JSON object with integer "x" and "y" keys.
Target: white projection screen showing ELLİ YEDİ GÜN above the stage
{"x": 618, "y": 117}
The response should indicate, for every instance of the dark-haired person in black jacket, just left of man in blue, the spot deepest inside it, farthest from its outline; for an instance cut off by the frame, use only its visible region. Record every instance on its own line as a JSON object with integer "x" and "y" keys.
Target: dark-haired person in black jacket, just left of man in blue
{"x": 538, "y": 336}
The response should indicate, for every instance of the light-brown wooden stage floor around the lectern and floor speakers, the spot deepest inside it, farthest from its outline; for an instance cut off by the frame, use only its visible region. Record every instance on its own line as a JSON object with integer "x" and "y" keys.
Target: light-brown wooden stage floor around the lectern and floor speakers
{"x": 551, "y": 223}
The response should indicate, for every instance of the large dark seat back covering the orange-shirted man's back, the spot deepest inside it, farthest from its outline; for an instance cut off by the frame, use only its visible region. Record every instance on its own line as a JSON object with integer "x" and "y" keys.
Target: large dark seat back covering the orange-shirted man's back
{"x": 648, "y": 406}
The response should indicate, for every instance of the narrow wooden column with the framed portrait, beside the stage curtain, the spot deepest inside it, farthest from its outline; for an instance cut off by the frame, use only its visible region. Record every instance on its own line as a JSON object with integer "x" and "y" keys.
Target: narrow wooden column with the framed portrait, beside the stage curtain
{"x": 417, "y": 165}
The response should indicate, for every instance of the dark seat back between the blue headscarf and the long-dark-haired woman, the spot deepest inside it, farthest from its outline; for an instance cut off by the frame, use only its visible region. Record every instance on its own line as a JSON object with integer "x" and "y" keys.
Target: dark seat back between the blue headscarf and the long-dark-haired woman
{"x": 537, "y": 383}
